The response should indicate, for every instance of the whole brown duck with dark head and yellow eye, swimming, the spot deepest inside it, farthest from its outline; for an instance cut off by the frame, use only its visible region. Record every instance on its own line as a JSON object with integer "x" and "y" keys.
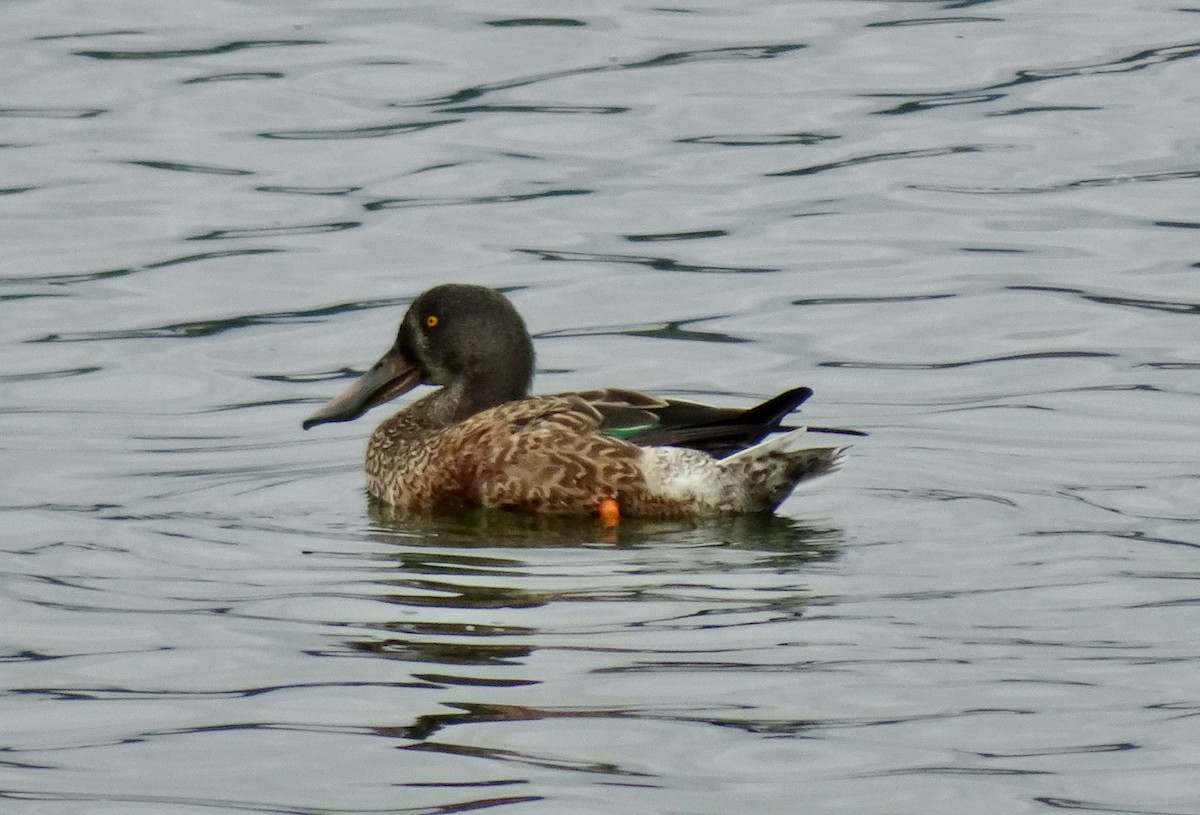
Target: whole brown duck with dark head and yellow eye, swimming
{"x": 481, "y": 440}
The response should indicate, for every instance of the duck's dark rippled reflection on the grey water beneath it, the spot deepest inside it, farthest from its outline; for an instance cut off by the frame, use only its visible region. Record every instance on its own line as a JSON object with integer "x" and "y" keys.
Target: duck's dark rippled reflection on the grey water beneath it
{"x": 505, "y": 619}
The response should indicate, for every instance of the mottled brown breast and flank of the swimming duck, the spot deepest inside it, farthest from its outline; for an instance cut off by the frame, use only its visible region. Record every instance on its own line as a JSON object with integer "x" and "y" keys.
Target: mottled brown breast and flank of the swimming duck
{"x": 542, "y": 456}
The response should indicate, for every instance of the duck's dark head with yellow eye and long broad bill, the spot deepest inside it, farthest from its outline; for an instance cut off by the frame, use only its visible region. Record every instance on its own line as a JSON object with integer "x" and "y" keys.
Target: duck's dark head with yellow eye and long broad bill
{"x": 467, "y": 339}
